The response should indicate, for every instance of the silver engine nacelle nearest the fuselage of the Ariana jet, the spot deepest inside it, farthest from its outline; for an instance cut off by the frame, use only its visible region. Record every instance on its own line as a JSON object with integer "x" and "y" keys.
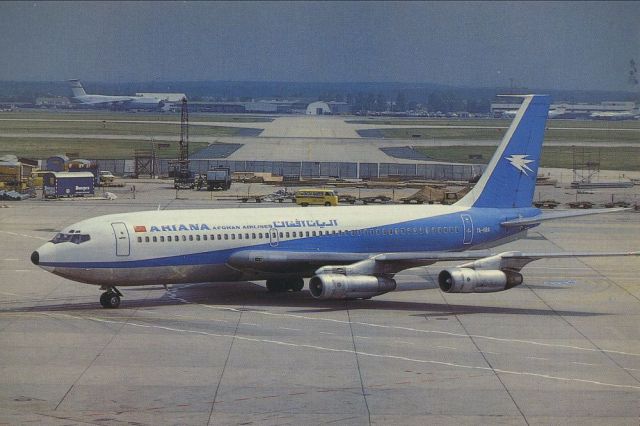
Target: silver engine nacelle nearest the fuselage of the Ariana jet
{"x": 337, "y": 286}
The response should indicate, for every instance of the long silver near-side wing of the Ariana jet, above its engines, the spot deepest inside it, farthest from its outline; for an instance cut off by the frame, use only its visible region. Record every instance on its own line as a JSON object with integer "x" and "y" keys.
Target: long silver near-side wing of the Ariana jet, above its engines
{"x": 279, "y": 261}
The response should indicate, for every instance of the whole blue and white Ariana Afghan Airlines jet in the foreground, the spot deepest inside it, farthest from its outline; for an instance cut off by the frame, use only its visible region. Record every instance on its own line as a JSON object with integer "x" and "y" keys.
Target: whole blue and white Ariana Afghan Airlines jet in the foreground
{"x": 348, "y": 252}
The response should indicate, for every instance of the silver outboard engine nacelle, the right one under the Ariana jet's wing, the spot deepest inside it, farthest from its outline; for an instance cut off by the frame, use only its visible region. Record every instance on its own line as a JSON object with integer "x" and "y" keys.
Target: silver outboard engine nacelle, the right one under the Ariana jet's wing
{"x": 466, "y": 280}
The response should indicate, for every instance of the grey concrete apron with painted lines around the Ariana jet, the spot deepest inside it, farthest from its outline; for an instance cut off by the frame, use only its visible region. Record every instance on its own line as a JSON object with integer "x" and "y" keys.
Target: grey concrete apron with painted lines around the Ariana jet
{"x": 564, "y": 348}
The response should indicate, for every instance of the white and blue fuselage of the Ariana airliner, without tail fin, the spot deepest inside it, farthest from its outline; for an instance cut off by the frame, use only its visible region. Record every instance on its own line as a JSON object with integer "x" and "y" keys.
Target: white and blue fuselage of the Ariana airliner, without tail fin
{"x": 195, "y": 245}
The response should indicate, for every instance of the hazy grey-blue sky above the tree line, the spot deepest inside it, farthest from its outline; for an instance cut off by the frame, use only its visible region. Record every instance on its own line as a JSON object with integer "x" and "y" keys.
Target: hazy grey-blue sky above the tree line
{"x": 552, "y": 45}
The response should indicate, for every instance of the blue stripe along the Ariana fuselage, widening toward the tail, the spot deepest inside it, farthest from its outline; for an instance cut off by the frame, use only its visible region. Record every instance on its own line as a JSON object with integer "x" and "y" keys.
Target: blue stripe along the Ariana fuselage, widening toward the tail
{"x": 368, "y": 240}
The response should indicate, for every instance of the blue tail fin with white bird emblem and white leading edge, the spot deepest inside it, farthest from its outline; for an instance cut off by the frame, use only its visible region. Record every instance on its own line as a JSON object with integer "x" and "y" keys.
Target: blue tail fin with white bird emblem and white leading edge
{"x": 510, "y": 178}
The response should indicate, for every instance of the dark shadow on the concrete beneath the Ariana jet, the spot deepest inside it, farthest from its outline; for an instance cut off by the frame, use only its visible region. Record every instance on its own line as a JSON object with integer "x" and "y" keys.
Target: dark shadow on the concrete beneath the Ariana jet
{"x": 239, "y": 294}
